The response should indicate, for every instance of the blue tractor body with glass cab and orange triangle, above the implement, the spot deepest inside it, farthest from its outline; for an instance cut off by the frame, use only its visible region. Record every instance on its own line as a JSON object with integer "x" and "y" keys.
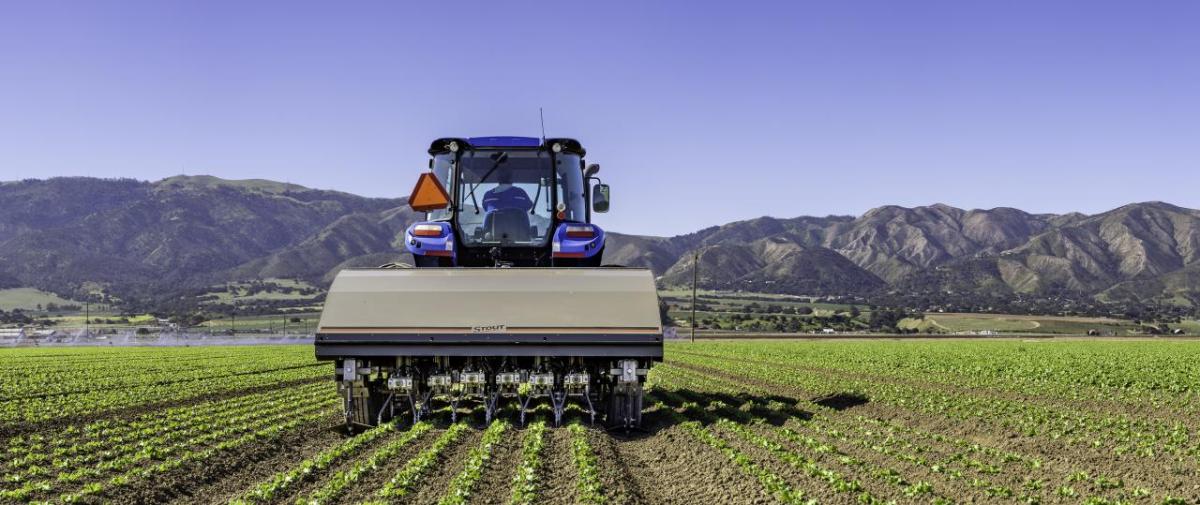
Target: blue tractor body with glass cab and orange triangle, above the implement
{"x": 508, "y": 202}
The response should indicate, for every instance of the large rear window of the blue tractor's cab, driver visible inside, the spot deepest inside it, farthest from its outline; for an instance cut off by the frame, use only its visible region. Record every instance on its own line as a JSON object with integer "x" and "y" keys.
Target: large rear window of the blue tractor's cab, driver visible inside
{"x": 505, "y": 201}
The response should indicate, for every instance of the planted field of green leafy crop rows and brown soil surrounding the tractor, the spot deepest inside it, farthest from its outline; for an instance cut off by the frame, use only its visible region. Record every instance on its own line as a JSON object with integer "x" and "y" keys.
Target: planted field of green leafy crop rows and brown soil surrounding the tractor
{"x": 728, "y": 423}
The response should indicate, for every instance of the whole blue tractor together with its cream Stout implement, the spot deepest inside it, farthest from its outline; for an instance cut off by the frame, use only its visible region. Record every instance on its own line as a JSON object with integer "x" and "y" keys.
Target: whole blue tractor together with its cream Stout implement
{"x": 508, "y": 300}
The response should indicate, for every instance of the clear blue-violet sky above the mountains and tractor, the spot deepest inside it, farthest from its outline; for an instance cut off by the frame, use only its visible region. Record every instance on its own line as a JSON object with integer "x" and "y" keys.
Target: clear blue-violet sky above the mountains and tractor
{"x": 701, "y": 112}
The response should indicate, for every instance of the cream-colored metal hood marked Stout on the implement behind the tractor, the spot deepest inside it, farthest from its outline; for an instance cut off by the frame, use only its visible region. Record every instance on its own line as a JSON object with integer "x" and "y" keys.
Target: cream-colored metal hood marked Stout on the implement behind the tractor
{"x": 491, "y": 306}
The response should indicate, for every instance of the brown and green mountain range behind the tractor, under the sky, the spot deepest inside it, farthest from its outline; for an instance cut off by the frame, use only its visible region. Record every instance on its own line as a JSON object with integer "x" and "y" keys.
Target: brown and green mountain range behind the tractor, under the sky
{"x": 153, "y": 241}
